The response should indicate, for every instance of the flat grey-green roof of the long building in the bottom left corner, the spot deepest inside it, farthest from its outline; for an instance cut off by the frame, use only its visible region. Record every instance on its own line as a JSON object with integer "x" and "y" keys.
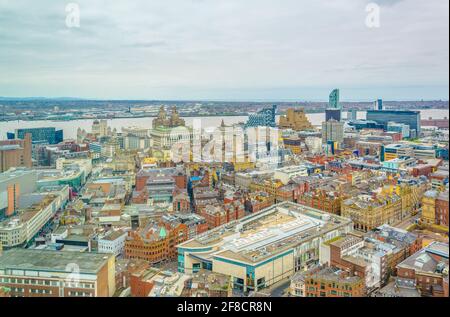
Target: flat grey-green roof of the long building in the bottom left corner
{"x": 52, "y": 261}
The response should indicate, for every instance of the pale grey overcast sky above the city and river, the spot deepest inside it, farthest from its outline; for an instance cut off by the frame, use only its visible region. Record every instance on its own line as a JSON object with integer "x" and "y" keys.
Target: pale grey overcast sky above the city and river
{"x": 225, "y": 49}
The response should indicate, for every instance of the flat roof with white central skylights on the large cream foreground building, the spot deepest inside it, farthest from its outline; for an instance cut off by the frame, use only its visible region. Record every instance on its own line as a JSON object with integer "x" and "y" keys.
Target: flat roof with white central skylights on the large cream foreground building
{"x": 269, "y": 232}
